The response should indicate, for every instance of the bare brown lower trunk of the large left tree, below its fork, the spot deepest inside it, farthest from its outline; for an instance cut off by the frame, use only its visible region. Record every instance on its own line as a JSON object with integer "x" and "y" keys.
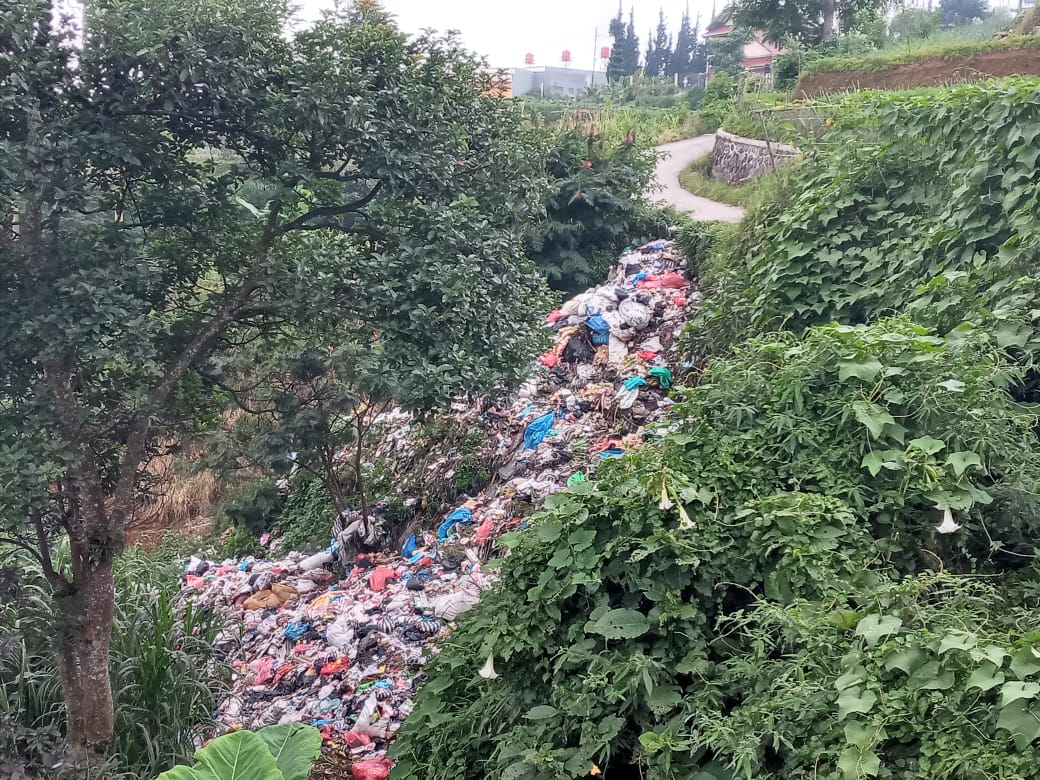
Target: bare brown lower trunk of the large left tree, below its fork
{"x": 84, "y": 640}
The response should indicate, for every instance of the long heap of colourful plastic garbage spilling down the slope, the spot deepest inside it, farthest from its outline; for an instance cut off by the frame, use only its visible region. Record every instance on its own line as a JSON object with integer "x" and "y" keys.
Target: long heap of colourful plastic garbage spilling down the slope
{"x": 339, "y": 640}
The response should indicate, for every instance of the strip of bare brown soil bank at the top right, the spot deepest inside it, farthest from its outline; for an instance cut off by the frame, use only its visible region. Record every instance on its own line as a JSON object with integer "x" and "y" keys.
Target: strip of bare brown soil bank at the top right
{"x": 924, "y": 73}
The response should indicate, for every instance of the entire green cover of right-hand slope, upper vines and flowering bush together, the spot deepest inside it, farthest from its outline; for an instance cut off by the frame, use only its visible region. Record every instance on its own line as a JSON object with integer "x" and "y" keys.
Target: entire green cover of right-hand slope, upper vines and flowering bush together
{"x": 827, "y": 569}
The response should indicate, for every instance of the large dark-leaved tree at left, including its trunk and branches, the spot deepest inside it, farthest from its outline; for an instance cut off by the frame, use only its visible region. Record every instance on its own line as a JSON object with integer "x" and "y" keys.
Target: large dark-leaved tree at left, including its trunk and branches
{"x": 129, "y": 258}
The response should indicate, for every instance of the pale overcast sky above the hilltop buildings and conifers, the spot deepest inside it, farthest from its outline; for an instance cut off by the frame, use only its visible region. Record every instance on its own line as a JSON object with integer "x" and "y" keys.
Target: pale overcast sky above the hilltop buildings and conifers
{"x": 505, "y": 33}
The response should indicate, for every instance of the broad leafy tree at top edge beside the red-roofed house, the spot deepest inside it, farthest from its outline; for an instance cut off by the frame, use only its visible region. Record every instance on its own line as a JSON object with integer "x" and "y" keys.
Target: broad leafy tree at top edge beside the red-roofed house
{"x": 808, "y": 21}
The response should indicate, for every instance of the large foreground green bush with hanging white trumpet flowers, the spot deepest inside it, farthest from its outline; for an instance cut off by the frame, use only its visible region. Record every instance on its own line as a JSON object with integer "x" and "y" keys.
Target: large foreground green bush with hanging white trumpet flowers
{"x": 757, "y": 596}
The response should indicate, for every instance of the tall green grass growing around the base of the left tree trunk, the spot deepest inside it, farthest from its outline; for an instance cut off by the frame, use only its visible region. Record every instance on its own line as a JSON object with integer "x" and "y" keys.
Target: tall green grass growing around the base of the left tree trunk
{"x": 167, "y": 678}
